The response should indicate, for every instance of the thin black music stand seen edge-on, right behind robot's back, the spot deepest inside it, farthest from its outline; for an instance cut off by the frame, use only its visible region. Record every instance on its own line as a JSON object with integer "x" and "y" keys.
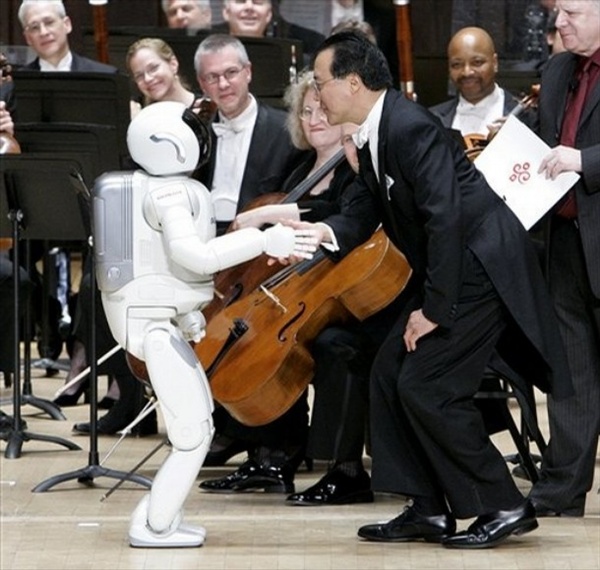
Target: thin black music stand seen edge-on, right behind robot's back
{"x": 93, "y": 469}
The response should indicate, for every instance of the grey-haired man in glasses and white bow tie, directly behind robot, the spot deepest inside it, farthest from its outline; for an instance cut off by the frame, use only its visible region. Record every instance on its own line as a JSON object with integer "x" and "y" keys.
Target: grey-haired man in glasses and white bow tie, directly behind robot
{"x": 252, "y": 151}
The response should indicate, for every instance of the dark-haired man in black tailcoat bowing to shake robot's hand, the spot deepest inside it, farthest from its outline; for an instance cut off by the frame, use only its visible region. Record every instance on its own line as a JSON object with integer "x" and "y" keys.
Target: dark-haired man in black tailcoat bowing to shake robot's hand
{"x": 478, "y": 289}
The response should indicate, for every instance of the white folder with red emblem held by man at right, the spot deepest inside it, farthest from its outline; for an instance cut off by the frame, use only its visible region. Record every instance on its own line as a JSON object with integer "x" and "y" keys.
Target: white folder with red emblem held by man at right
{"x": 510, "y": 164}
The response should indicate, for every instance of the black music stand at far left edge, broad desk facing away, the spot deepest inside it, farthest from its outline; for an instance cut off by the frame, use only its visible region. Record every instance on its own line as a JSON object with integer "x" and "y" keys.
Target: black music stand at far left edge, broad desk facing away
{"x": 32, "y": 198}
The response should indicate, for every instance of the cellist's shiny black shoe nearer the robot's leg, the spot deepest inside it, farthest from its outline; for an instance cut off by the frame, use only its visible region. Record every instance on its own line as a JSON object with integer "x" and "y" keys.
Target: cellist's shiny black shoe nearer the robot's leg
{"x": 252, "y": 476}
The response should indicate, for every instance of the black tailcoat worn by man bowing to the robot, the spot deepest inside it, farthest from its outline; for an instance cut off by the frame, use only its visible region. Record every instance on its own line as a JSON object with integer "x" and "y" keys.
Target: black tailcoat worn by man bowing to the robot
{"x": 433, "y": 204}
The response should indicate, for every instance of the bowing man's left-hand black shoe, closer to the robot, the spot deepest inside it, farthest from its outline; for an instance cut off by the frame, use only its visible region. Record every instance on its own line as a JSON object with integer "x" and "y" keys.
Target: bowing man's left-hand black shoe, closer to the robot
{"x": 410, "y": 526}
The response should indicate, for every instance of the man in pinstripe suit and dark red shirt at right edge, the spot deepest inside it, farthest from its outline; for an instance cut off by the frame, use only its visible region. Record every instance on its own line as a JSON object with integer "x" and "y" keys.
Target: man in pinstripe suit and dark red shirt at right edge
{"x": 569, "y": 114}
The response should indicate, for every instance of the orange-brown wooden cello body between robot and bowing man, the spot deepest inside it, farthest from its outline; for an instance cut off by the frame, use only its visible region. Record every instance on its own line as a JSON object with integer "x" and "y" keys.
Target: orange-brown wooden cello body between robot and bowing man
{"x": 268, "y": 364}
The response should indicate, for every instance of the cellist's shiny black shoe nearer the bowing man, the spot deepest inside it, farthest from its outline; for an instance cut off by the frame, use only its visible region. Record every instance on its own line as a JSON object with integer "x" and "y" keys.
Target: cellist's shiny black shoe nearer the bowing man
{"x": 336, "y": 488}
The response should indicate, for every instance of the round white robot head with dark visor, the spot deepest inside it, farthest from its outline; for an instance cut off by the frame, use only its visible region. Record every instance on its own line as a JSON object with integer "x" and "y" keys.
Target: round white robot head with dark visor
{"x": 167, "y": 138}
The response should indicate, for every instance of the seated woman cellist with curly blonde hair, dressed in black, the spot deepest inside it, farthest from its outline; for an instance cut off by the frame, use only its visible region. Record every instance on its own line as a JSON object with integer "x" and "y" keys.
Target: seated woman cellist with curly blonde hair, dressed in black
{"x": 342, "y": 354}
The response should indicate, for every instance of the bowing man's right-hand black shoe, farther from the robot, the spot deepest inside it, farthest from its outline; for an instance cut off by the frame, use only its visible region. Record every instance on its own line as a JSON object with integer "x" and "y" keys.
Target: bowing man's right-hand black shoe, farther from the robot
{"x": 490, "y": 530}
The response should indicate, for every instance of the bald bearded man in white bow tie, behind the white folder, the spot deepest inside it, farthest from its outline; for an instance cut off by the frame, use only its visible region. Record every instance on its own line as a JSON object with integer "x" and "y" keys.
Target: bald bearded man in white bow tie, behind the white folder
{"x": 480, "y": 103}
